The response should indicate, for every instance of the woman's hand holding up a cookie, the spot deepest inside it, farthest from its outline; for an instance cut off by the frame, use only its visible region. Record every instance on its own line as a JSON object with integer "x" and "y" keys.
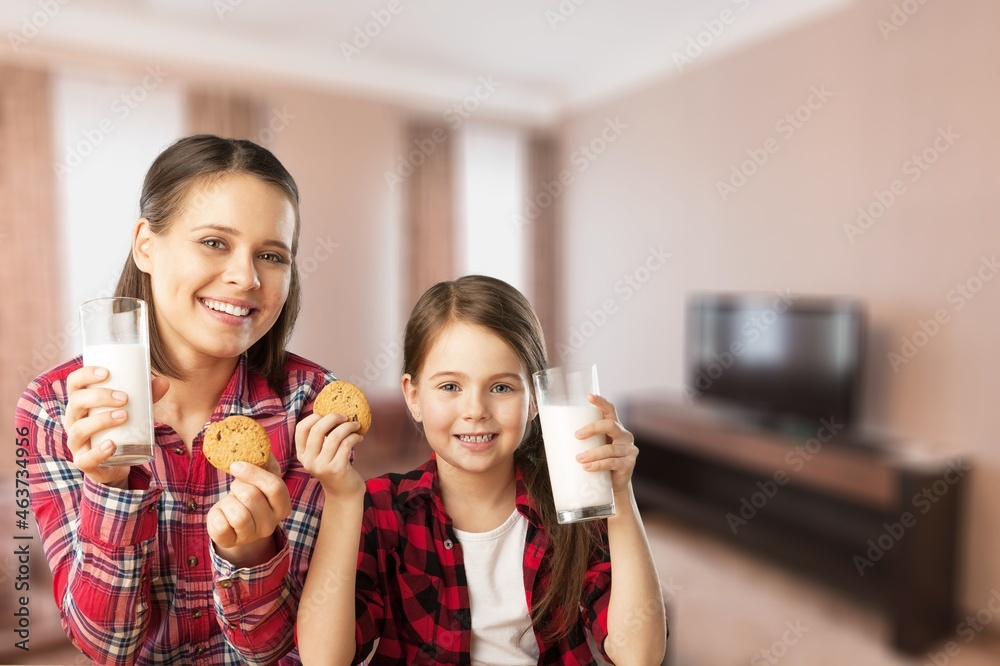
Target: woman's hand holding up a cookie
{"x": 242, "y": 523}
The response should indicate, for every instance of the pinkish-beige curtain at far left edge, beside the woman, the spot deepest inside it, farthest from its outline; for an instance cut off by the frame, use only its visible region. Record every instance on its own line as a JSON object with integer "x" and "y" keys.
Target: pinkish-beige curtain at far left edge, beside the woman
{"x": 32, "y": 336}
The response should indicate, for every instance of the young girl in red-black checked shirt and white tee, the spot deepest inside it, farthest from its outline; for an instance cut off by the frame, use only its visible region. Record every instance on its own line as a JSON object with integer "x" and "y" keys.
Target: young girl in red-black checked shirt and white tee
{"x": 462, "y": 560}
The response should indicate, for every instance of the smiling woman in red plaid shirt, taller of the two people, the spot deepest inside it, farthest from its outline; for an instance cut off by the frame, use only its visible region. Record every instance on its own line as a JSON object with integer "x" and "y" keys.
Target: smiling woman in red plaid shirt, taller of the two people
{"x": 177, "y": 562}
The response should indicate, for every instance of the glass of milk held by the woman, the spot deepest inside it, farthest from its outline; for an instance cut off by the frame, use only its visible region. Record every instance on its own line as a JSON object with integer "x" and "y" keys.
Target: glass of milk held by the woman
{"x": 116, "y": 337}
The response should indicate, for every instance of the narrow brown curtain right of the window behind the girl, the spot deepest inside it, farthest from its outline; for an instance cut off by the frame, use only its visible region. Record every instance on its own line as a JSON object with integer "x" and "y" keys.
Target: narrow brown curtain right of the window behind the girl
{"x": 545, "y": 238}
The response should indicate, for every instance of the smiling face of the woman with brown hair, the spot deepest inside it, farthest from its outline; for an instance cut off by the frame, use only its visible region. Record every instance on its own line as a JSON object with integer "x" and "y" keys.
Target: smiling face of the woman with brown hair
{"x": 234, "y": 281}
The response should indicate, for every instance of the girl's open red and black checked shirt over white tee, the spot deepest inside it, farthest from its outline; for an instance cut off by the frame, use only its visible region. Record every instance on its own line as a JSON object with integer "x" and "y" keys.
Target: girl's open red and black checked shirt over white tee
{"x": 412, "y": 592}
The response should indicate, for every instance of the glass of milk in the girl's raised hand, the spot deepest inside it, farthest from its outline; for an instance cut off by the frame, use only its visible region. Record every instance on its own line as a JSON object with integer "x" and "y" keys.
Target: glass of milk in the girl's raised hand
{"x": 561, "y": 395}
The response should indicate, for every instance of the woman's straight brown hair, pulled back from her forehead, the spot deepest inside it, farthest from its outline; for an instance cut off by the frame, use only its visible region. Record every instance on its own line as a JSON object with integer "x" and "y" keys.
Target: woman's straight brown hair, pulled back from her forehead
{"x": 178, "y": 179}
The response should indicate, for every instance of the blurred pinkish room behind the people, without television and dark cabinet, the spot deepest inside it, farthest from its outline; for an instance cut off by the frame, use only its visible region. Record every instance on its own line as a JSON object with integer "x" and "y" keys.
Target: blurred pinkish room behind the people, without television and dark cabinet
{"x": 609, "y": 159}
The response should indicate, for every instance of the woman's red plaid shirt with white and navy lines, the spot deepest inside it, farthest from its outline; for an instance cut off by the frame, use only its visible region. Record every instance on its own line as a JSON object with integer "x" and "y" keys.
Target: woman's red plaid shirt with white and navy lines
{"x": 133, "y": 572}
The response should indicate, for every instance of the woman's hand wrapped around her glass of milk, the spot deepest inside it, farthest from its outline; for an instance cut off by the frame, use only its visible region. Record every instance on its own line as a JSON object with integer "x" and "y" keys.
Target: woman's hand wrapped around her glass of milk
{"x": 80, "y": 425}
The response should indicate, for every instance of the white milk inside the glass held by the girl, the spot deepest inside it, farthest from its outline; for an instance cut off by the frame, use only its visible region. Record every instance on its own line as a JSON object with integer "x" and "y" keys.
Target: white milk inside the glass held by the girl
{"x": 573, "y": 487}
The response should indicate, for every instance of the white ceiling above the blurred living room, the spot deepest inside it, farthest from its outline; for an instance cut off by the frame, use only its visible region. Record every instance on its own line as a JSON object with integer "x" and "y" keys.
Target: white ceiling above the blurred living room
{"x": 546, "y": 56}
